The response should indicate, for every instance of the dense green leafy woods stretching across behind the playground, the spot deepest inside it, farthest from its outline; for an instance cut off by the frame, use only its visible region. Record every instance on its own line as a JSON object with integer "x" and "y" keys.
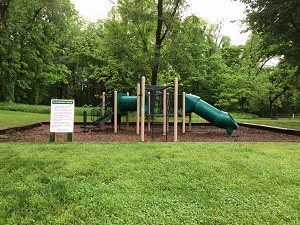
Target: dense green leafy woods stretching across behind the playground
{"x": 48, "y": 51}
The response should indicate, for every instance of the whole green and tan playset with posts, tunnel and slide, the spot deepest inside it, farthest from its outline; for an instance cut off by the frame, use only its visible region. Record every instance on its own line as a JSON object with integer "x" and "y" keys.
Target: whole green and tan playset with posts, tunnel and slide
{"x": 146, "y": 105}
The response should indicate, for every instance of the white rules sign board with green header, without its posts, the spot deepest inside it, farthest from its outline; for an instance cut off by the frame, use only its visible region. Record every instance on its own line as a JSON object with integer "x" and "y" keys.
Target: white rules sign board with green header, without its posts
{"x": 62, "y": 116}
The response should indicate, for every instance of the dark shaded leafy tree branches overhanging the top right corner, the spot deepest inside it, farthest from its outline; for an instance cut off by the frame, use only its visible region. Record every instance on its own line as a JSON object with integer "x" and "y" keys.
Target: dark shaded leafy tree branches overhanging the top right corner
{"x": 278, "y": 23}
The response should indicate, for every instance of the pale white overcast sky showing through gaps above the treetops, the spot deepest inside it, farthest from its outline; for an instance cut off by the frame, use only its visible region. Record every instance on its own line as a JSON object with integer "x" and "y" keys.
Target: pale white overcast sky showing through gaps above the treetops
{"x": 212, "y": 10}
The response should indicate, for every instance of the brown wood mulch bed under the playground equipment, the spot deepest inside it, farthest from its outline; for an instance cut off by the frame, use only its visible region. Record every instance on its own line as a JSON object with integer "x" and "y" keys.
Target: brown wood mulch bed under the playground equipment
{"x": 106, "y": 134}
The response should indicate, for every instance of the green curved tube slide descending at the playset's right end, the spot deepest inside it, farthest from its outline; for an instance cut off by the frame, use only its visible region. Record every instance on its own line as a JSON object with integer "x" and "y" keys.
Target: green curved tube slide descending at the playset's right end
{"x": 208, "y": 112}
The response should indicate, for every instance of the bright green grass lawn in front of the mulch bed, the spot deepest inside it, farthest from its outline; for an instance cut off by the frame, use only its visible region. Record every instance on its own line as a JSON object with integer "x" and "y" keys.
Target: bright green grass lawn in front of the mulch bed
{"x": 150, "y": 183}
